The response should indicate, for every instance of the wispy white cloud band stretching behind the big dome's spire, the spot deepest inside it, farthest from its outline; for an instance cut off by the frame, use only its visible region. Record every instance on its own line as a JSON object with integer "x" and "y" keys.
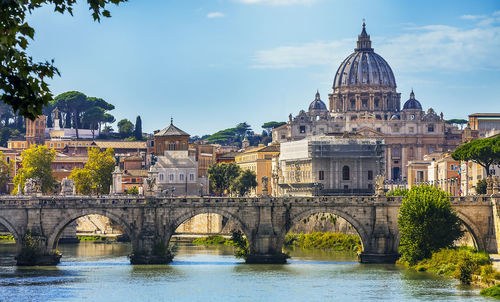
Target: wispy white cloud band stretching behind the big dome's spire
{"x": 425, "y": 48}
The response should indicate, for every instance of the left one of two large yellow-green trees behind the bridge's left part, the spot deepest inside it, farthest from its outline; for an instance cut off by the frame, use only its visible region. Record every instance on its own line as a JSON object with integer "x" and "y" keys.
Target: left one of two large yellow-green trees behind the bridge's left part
{"x": 36, "y": 163}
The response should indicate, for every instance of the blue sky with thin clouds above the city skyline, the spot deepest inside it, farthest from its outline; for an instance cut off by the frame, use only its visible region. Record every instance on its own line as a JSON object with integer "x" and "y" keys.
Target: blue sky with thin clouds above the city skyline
{"x": 211, "y": 64}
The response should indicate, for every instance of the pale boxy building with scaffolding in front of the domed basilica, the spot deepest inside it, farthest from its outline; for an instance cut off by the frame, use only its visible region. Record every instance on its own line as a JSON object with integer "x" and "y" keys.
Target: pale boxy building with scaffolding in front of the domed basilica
{"x": 329, "y": 165}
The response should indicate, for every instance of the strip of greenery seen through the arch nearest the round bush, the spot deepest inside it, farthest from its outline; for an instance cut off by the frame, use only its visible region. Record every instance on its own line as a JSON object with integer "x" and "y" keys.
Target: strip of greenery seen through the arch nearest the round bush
{"x": 326, "y": 240}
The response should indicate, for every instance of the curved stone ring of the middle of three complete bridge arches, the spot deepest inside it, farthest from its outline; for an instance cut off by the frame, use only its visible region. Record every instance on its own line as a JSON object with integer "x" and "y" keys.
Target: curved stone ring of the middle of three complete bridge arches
{"x": 198, "y": 211}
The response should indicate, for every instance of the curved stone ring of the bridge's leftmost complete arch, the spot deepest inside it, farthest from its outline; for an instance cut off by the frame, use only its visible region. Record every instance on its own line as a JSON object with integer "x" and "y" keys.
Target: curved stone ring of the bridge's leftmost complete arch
{"x": 57, "y": 231}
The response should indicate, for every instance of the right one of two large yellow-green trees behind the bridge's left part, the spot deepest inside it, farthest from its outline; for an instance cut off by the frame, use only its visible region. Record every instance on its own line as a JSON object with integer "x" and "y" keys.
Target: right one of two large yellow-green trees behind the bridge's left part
{"x": 96, "y": 175}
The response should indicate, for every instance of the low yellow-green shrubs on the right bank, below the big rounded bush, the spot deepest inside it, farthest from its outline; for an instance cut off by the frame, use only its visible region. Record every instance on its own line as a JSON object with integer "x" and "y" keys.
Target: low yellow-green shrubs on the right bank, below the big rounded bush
{"x": 461, "y": 263}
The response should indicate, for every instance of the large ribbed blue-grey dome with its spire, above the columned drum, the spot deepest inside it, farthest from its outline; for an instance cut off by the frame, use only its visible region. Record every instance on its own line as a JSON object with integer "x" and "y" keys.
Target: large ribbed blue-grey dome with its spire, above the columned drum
{"x": 364, "y": 67}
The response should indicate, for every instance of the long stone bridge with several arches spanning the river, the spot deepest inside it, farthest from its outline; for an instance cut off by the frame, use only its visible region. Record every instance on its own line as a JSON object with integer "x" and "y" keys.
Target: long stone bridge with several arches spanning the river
{"x": 150, "y": 221}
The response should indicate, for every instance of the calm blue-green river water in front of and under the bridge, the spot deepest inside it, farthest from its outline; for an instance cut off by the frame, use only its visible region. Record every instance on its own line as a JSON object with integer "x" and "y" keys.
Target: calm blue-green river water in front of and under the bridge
{"x": 101, "y": 272}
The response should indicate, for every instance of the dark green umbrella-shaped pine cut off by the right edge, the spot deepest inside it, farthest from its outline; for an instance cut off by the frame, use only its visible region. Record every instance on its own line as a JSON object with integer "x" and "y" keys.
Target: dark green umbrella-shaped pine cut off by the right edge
{"x": 484, "y": 152}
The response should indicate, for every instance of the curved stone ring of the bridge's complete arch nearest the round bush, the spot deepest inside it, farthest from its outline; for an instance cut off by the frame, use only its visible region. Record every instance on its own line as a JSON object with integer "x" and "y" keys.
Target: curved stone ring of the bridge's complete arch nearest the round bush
{"x": 365, "y": 239}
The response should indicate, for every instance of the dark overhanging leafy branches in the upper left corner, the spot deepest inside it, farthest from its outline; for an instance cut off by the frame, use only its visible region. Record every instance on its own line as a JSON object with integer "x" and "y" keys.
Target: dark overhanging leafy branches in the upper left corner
{"x": 23, "y": 83}
